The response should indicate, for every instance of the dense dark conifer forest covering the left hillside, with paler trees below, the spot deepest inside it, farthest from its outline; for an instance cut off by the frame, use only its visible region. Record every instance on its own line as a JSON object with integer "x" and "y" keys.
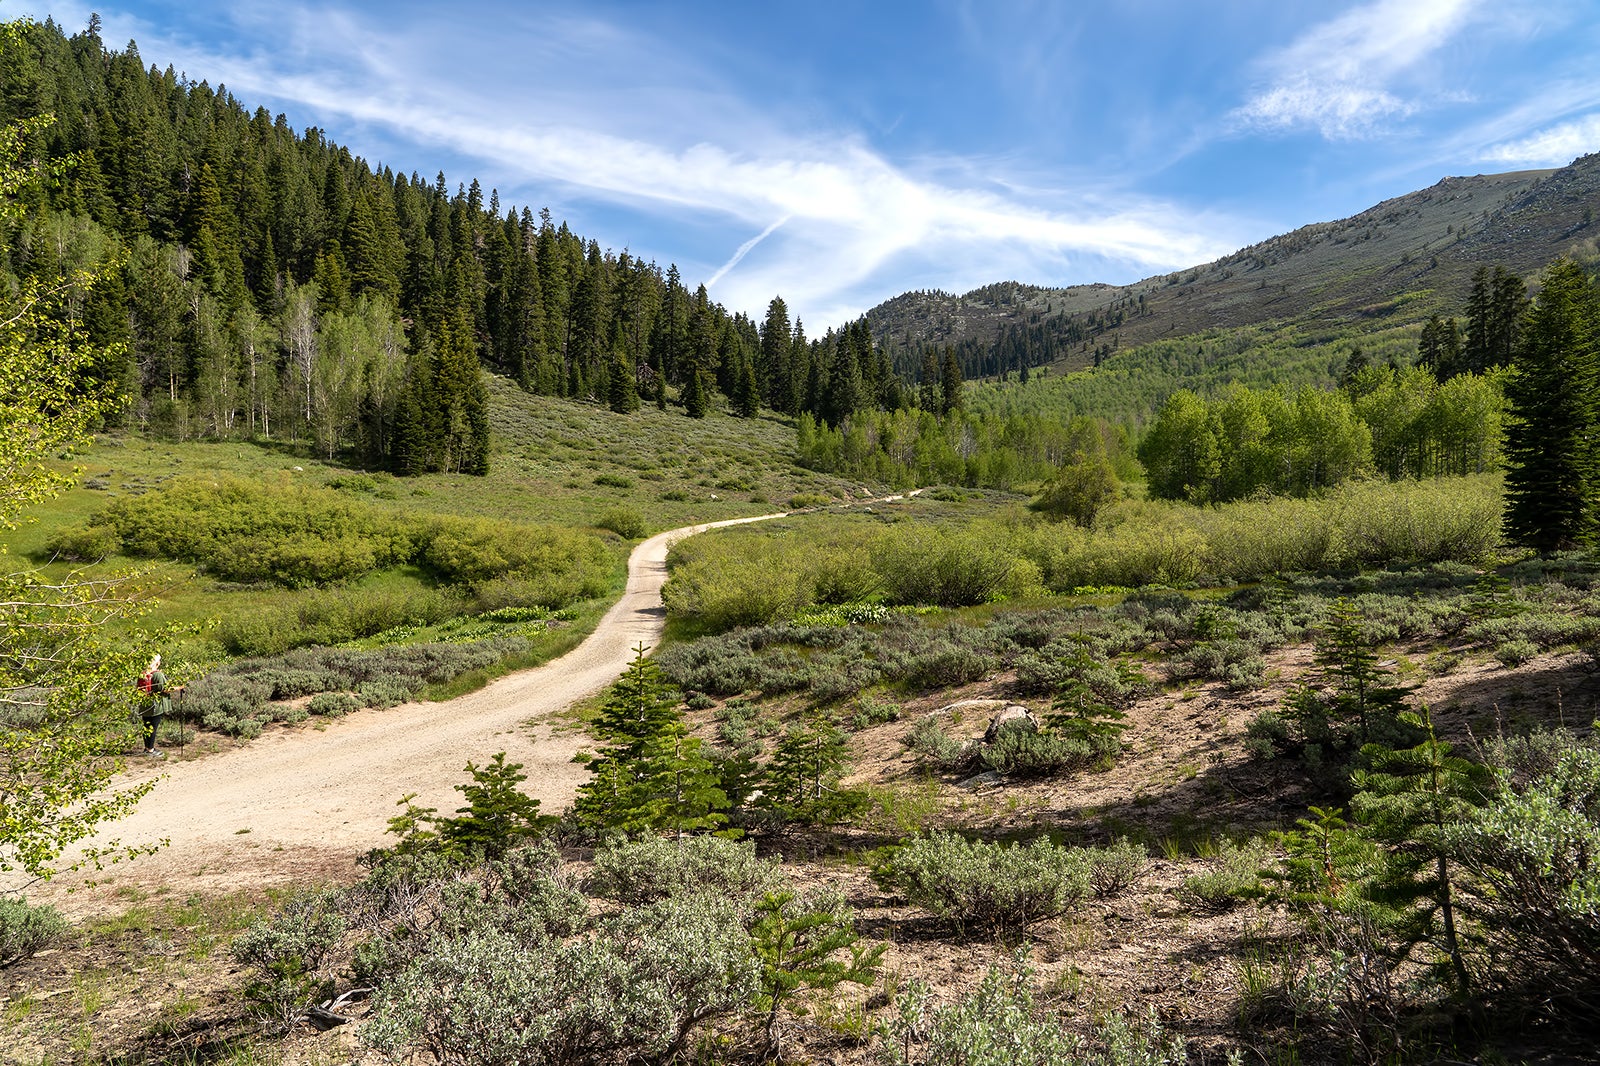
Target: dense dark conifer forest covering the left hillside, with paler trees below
{"x": 257, "y": 281}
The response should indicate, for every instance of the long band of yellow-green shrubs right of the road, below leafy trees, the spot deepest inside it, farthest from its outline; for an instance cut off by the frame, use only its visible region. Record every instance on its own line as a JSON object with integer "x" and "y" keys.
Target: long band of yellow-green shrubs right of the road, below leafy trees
{"x": 759, "y": 577}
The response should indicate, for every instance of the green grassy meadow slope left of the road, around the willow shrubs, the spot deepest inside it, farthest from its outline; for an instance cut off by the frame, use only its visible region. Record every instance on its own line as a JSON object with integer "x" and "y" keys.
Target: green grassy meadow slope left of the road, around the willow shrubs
{"x": 554, "y": 462}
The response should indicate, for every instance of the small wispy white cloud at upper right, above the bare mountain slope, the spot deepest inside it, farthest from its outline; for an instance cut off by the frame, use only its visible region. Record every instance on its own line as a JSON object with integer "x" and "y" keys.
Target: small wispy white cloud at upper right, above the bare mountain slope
{"x": 1340, "y": 78}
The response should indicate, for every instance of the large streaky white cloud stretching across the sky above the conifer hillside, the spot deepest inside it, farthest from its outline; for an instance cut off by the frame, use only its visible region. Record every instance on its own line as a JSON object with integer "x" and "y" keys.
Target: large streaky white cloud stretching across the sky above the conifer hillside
{"x": 671, "y": 143}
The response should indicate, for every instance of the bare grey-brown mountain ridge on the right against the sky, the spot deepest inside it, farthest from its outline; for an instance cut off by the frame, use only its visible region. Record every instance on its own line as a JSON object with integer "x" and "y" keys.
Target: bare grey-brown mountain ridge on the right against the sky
{"x": 1410, "y": 255}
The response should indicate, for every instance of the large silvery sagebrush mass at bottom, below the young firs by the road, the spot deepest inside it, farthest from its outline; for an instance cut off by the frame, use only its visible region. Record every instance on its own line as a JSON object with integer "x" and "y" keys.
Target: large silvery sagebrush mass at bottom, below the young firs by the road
{"x": 505, "y": 961}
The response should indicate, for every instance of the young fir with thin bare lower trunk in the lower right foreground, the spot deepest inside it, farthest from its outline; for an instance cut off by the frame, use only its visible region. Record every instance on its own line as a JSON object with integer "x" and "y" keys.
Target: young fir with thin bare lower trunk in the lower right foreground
{"x": 1407, "y": 803}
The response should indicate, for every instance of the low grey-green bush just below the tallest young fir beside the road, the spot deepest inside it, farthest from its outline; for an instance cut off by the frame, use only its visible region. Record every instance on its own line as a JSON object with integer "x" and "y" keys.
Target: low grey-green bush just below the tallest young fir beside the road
{"x": 657, "y": 868}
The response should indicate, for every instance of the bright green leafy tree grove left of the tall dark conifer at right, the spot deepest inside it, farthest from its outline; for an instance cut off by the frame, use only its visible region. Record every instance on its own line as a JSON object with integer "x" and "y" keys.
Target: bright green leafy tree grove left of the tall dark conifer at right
{"x": 1398, "y": 423}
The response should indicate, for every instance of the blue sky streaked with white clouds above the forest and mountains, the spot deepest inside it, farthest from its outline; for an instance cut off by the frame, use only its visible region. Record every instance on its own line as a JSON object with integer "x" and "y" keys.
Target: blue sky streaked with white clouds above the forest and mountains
{"x": 839, "y": 154}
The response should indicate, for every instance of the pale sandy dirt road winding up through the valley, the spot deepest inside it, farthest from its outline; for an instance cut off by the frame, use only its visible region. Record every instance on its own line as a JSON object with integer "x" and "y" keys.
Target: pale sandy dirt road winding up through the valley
{"x": 302, "y": 806}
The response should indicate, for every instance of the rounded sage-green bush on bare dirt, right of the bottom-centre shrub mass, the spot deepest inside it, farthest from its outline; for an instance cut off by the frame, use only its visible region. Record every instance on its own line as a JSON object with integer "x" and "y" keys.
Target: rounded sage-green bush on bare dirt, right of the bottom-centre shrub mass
{"x": 990, "y": 889}
